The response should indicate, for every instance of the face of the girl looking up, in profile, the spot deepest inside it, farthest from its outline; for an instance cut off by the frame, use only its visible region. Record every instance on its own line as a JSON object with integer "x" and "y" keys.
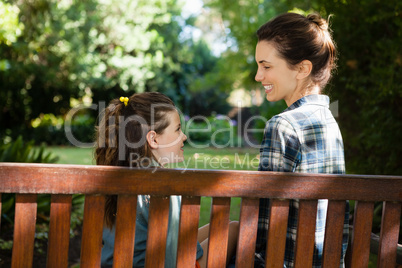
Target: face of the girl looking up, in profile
{"x": 170, "y": 143}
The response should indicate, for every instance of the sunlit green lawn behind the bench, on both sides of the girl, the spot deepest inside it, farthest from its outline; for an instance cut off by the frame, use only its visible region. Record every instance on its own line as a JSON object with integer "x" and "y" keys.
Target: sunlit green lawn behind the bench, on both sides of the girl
{"x": 208, "y": 158}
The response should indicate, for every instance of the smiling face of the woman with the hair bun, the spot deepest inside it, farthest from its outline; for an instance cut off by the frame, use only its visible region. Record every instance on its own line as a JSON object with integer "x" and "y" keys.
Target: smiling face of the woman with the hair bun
{"x": 280, "y": 82}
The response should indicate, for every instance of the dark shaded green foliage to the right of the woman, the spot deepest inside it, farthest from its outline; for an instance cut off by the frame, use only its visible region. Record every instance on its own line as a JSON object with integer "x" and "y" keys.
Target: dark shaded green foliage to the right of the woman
{"x": 368, "y": 83}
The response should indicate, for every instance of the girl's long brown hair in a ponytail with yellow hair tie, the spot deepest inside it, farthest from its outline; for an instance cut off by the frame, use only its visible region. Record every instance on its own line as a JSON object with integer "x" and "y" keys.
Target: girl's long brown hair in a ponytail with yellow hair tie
{"x": 121, "y": 135}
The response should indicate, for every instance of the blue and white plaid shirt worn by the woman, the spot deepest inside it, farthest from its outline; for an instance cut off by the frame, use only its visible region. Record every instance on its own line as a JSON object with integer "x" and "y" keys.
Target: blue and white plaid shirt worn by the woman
{"x": 304, "y": 138}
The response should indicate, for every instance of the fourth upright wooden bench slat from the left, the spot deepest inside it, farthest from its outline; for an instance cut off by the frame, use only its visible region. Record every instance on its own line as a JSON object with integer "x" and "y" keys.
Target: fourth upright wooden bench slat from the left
{"x": 125, "y": 231}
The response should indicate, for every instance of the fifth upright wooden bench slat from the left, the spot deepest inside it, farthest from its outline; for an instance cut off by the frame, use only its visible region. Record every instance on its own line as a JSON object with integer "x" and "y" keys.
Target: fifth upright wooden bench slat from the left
{"x": 157, "y": 232}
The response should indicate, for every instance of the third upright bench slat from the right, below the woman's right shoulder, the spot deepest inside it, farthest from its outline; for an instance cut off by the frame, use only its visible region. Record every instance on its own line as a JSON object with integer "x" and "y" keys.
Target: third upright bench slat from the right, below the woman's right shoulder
{"x": 333, "y": 234}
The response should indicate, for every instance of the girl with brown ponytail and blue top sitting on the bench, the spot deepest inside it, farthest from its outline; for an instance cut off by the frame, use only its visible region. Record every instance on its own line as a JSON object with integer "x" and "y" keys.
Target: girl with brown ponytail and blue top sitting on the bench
{"x": 143, "y": 131}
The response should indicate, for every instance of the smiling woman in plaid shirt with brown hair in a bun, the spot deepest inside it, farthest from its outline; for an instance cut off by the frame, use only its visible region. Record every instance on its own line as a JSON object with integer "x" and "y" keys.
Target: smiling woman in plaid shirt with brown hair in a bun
{"x": 295, "y": 56}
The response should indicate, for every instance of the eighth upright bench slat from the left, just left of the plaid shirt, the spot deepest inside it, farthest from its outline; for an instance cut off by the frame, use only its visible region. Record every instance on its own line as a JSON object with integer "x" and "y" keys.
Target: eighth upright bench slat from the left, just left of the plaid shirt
{"x": 248, "y": 232}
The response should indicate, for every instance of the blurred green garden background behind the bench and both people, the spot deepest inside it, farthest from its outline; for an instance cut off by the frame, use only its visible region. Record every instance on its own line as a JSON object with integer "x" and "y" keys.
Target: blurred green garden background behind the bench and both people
{"x": 58, "y": 55}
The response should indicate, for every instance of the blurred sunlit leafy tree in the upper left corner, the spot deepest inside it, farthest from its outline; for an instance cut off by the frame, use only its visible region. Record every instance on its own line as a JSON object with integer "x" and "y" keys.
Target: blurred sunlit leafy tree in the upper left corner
{"x": 68, "y": 50}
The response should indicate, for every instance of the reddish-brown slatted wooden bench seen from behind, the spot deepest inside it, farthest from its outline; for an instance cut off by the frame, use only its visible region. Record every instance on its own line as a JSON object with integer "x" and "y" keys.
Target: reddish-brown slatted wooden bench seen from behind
{"x": 61, "y": 181}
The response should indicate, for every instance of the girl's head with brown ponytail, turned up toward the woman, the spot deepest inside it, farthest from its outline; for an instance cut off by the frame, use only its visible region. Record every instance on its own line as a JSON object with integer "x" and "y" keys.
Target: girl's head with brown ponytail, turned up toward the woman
{"x": 142, "y": 129}
